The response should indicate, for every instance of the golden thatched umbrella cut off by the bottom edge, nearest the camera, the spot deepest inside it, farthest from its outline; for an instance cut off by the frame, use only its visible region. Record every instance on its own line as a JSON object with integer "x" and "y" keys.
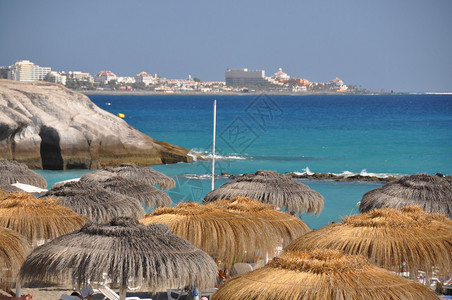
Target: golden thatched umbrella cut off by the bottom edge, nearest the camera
{"x": 321, "y": 275}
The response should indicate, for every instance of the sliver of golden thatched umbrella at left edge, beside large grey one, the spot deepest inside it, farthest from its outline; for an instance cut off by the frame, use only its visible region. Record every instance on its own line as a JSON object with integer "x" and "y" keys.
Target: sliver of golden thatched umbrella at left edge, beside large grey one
{"x": 13, "y": 249}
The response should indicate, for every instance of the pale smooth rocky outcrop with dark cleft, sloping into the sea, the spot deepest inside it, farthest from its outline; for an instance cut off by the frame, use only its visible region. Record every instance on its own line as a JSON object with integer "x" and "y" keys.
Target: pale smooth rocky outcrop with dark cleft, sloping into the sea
{"x": 47, "y": 126}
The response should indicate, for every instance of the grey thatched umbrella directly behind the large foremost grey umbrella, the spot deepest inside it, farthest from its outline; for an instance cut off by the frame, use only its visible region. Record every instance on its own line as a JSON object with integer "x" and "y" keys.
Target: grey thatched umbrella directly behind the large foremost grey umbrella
{"x": 96, "y": 203}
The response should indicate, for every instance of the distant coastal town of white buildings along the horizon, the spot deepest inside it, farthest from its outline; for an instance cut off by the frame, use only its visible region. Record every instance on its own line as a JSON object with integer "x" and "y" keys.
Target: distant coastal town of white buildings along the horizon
{"x": 236, "y": 81}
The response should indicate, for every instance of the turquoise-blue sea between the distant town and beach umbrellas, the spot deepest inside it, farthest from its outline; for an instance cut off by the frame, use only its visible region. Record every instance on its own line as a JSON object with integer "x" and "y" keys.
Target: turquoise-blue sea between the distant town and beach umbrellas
{"x": 376, "y": 134}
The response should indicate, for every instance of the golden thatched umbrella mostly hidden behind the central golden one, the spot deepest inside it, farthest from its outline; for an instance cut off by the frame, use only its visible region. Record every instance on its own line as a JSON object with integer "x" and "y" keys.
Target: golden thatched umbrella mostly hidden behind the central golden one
{"x": 288, "y": 227}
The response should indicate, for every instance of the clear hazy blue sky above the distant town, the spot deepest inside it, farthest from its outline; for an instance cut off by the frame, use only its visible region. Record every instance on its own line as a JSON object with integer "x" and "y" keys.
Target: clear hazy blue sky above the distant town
{"x": 402, "y": 45}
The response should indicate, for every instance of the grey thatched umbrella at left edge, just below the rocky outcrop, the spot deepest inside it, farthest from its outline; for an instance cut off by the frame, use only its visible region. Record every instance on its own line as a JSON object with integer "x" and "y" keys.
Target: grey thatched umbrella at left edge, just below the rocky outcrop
{"x": 12, "y": 171}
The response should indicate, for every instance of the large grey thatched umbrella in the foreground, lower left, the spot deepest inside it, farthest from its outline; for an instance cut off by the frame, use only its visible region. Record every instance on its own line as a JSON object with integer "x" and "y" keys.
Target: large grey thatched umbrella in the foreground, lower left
{"x": 126, "y": 251}
